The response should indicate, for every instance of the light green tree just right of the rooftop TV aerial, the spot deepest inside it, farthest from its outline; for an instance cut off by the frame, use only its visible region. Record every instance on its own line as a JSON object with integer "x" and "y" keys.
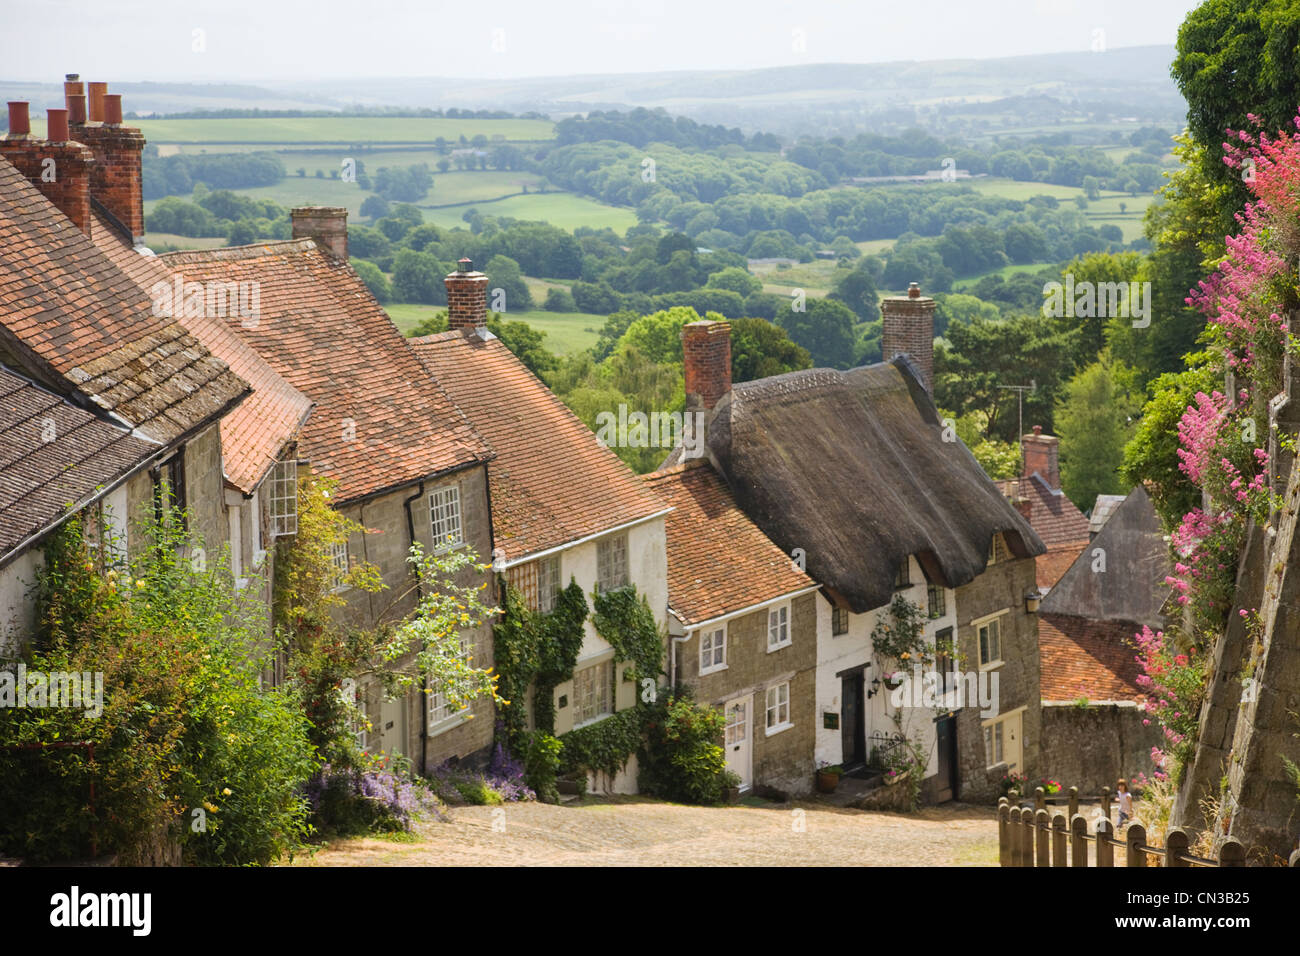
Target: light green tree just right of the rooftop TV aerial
{"x": 1094, "y": 421}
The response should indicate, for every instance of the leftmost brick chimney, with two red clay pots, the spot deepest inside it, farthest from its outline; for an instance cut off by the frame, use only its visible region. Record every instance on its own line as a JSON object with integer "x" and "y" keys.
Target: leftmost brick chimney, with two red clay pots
{"x": 58, "y": 167}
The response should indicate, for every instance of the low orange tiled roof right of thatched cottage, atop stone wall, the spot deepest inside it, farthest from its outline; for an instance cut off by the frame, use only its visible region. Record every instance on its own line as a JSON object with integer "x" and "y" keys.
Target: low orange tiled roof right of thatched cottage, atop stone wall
{"x": 1087, "y": 659}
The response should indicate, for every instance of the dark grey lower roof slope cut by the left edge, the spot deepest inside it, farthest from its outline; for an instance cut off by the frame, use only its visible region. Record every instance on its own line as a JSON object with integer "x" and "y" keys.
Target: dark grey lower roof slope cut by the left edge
{"x": 42, "y": 481}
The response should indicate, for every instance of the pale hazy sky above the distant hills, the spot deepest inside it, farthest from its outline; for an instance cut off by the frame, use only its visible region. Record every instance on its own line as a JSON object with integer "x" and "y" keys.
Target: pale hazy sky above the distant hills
{"x": 306, "y": 40}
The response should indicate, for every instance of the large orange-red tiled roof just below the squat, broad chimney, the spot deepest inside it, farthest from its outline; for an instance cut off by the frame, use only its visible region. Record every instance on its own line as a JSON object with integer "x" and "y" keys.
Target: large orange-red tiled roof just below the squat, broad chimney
{"x": 380, "y": 421}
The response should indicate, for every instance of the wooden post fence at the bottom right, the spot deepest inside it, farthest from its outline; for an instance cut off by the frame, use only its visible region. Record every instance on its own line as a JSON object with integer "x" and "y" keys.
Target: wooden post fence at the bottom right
{"x": 1037, "y": 838}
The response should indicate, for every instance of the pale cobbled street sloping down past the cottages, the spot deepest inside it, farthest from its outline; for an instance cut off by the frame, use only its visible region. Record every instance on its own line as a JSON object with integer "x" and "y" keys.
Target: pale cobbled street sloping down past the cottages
{"x": 638, "y": 832}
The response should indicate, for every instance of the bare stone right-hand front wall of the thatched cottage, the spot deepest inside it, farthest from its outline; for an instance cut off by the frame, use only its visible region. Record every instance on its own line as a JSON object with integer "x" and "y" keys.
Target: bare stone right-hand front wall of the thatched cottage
{"x": 1000, "y": 589}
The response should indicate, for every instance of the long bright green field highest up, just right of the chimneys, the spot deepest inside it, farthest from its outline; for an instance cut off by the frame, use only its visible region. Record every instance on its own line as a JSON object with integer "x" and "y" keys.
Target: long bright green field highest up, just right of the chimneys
{"x": 328, "y": 129}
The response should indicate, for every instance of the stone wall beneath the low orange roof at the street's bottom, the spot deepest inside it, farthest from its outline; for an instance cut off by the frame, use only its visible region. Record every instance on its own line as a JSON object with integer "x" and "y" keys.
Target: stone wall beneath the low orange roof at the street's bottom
{"x": 1097, "y": 746}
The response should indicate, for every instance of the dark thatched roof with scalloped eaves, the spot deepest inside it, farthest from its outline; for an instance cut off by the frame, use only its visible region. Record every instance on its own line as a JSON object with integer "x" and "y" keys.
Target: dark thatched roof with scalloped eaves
{"x": 853, "y": 469}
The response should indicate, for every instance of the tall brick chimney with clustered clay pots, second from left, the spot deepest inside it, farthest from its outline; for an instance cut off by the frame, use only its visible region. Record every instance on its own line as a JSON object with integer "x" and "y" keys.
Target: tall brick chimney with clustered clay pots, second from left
{"x": 118, "y": 176}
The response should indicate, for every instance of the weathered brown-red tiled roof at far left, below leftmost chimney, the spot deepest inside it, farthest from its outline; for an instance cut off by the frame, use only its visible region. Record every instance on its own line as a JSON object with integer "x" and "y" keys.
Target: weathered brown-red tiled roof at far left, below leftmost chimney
{"x": 70, "y": 313}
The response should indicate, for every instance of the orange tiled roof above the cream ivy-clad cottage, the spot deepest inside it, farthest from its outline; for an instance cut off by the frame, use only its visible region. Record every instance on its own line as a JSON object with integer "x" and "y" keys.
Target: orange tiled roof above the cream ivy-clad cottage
{"x": 553, "y": 482}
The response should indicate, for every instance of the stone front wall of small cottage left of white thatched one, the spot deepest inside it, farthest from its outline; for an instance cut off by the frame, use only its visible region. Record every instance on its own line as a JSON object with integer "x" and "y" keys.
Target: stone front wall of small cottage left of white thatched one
{"x": 783, "y": 762}
